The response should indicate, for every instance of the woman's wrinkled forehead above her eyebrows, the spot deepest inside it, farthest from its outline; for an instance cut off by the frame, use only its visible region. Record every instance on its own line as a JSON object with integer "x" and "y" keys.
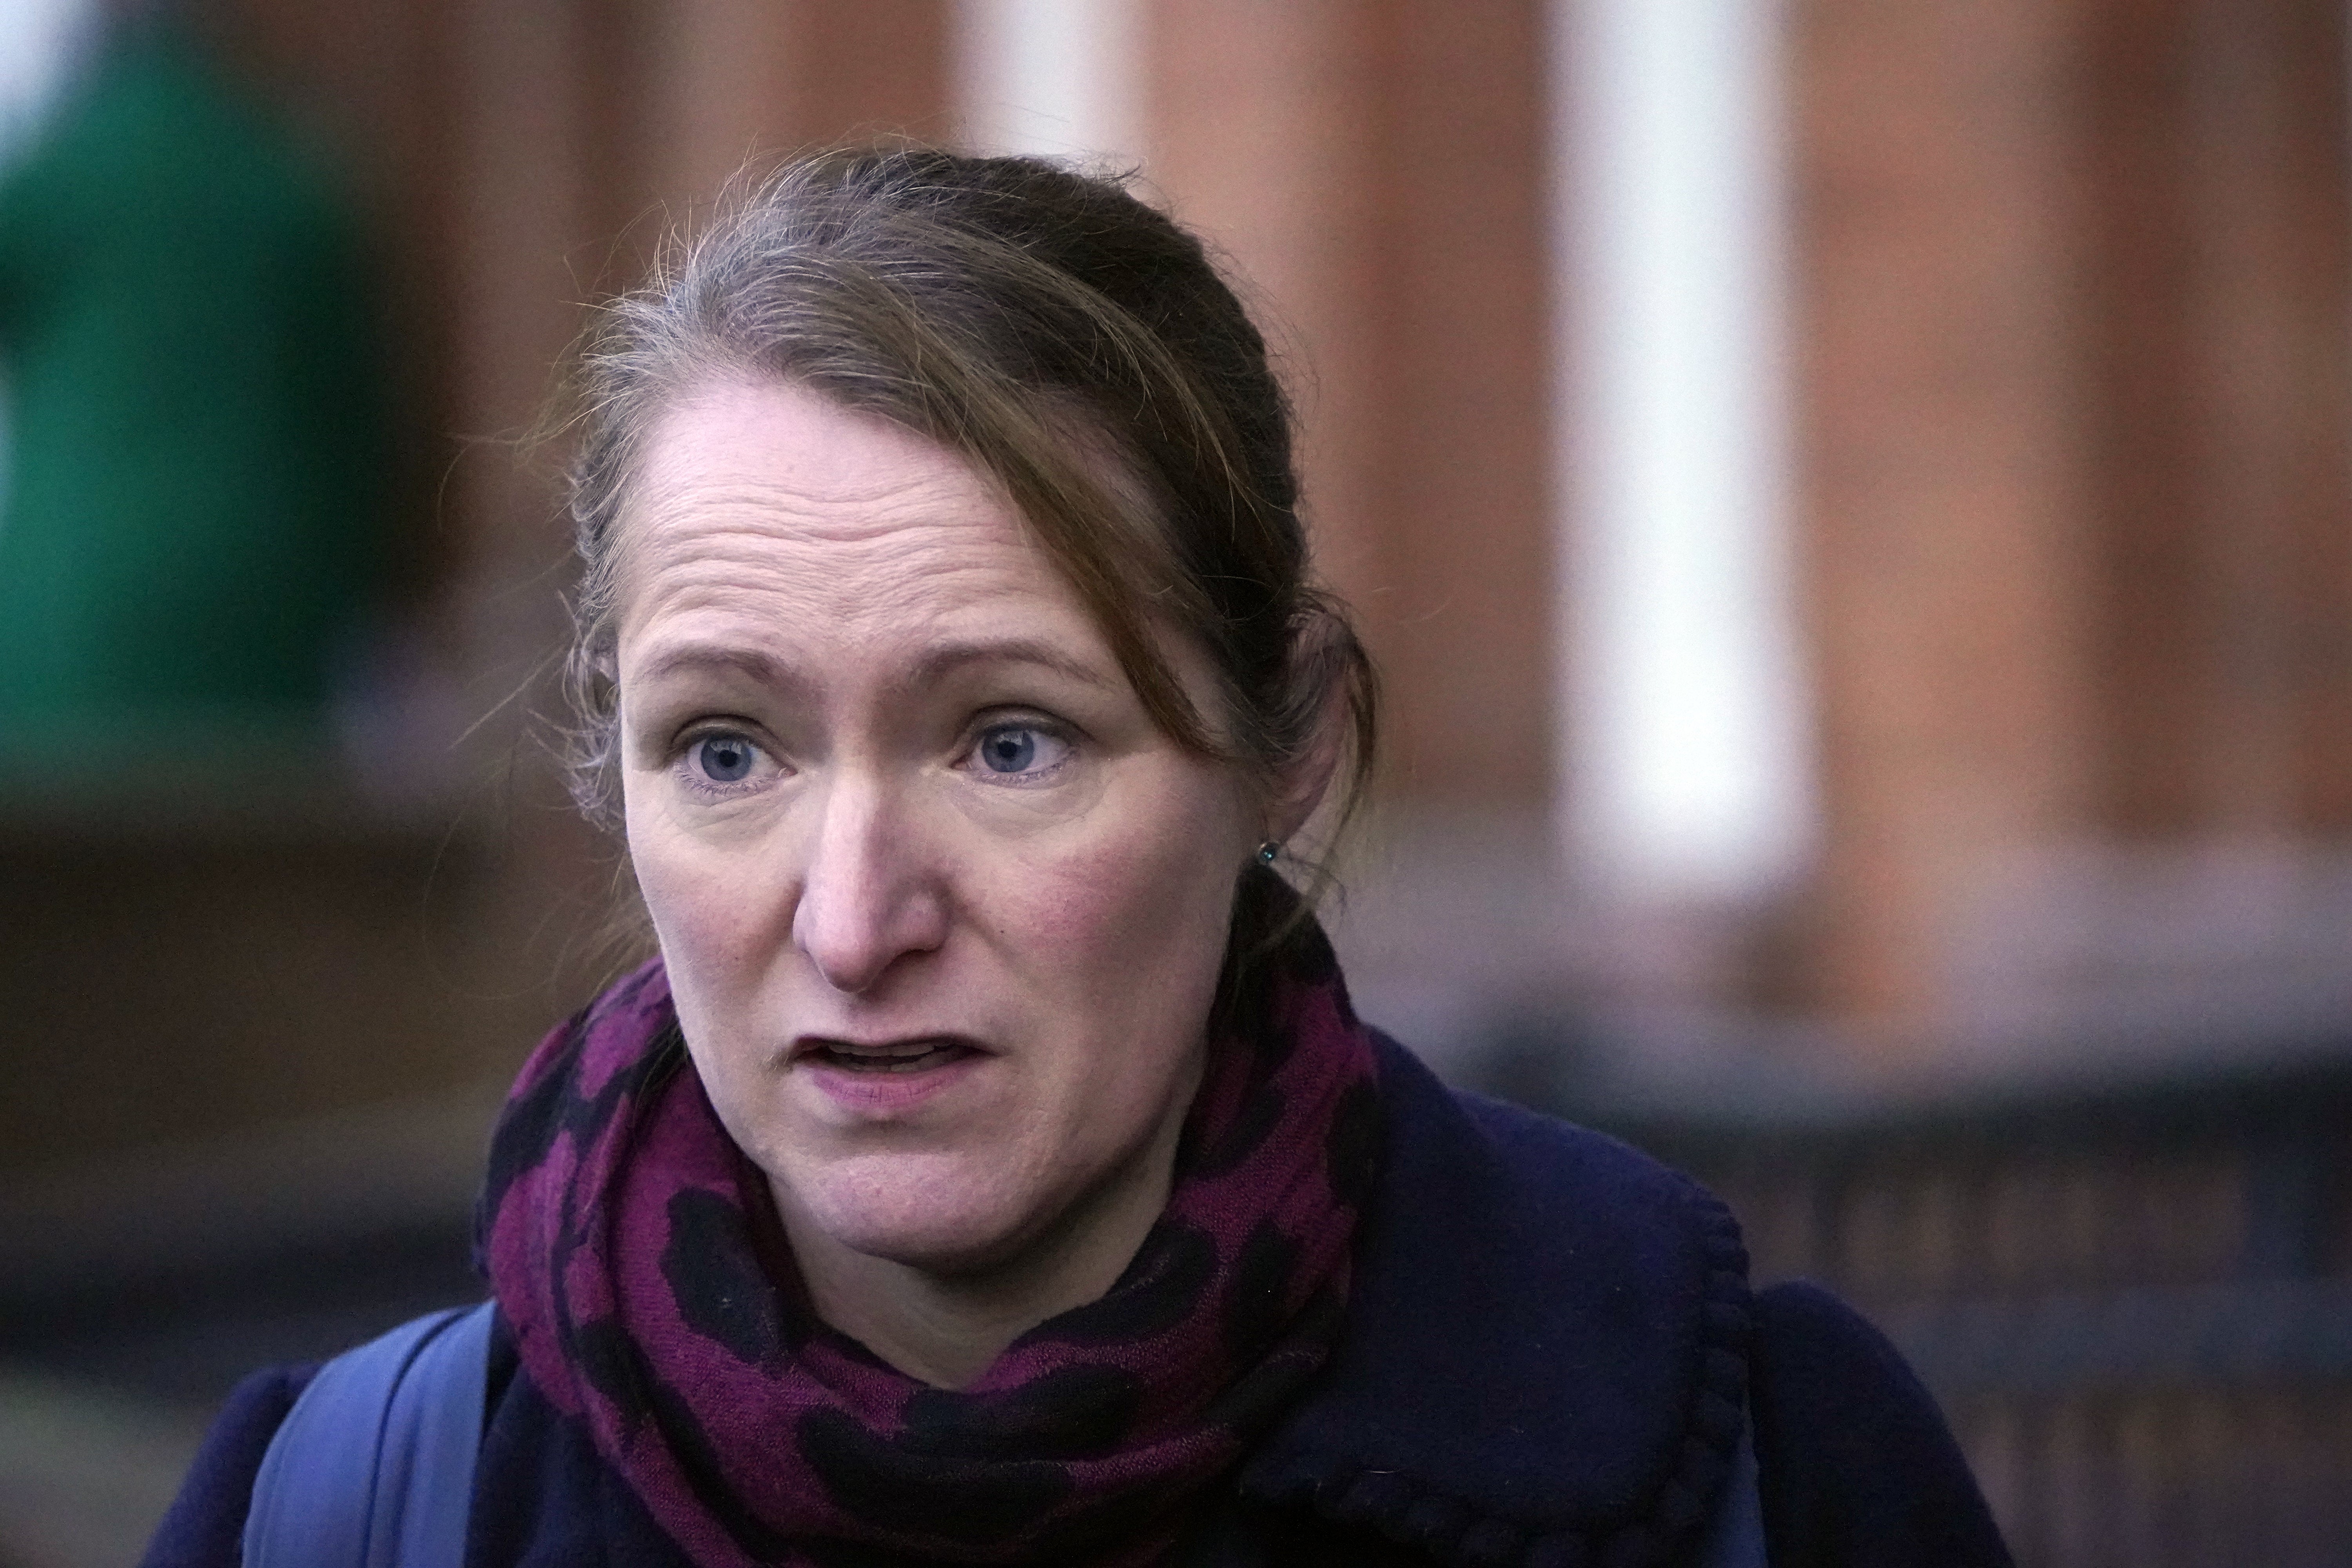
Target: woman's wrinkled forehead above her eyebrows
{"x": 775, "y": 511}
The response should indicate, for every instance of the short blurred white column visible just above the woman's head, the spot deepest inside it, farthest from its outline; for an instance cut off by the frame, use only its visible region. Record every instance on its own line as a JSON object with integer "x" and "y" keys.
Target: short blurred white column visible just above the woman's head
{"x": 1050, "y": 76}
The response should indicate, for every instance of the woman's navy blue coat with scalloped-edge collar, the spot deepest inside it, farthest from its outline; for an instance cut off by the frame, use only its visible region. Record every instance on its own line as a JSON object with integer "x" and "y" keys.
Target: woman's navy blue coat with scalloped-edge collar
{"x": 1546, "y": 1351}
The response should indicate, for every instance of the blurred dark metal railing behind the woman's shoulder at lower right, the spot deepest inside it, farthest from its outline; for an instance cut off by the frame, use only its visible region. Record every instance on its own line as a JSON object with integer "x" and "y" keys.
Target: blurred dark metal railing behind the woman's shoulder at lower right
{"x": 2134, "y": 1299}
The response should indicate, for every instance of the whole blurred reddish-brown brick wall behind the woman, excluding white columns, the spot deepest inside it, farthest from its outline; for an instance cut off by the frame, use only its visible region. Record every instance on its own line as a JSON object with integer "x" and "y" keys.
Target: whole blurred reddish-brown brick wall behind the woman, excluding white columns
{"x": 2071, "y": 380}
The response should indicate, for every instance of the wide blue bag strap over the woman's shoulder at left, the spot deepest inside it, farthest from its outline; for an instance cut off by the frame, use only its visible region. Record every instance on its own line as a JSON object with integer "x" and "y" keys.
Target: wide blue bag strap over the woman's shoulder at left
{"x": 373, "y": 1468}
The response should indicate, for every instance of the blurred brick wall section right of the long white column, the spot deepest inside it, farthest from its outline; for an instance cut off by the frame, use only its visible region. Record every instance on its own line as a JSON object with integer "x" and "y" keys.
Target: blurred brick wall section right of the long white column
{"x": 2073, "y": 406}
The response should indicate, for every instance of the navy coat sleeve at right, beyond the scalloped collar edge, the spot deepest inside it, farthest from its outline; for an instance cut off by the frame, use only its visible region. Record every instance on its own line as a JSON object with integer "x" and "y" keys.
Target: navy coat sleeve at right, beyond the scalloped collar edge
{"x": 1855, "y": 1461}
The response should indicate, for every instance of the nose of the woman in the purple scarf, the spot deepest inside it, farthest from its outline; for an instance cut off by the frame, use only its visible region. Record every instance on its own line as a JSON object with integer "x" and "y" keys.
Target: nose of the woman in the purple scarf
{"x": 867, "y": 899}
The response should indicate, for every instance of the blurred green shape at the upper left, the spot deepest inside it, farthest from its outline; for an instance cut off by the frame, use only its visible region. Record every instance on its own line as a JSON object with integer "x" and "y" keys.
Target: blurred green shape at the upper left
{"x": 192, "y": 509}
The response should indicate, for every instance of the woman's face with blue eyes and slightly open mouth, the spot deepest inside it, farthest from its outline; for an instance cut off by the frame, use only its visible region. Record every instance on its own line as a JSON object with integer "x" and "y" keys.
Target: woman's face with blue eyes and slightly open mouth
{"x": 942, "y": 909}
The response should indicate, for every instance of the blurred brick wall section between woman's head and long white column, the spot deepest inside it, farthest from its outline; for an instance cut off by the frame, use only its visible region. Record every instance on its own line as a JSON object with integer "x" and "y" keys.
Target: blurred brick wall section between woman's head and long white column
{"x": 1379, "y": 175}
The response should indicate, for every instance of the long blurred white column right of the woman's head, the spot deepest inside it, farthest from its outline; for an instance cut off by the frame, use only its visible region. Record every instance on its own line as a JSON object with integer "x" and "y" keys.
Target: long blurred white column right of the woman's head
{"x": 1688, "y": 728}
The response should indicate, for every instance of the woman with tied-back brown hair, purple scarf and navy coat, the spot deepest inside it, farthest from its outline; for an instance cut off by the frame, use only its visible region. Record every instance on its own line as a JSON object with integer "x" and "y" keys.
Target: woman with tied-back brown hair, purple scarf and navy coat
{"x": 991, "y": 1170}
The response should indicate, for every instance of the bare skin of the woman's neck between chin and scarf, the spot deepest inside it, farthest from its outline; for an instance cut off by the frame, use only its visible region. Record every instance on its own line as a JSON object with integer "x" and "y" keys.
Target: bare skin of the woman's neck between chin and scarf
{"x": 947, "y": 1327}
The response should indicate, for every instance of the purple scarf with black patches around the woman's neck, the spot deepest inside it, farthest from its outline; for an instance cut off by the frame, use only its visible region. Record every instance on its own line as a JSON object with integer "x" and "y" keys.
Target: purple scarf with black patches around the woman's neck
{"x": 653, "y": 1296}
